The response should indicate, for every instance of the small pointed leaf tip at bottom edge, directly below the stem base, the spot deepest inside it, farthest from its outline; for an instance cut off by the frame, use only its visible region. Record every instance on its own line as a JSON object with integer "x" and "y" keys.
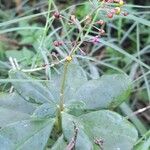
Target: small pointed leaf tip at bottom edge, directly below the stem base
{"x": 60, "y": 144}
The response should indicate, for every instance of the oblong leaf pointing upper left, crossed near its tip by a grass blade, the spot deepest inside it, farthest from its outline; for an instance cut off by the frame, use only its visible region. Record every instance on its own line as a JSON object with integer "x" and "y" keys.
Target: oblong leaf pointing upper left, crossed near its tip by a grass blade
{"x": 32, "y": 91}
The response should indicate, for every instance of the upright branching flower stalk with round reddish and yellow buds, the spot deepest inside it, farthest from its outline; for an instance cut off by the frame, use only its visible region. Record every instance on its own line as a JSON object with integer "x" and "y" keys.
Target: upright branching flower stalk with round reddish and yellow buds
{"x": 77, "y": 45}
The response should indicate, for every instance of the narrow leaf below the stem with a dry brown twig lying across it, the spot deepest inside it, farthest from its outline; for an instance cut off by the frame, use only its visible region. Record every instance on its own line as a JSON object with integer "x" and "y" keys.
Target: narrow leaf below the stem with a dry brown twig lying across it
{"x": 68, "y": 124}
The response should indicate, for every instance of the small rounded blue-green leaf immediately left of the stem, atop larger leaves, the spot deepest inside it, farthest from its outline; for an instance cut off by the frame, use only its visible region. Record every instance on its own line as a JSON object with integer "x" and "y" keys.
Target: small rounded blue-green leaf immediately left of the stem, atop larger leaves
{"x": 44, "y": 111}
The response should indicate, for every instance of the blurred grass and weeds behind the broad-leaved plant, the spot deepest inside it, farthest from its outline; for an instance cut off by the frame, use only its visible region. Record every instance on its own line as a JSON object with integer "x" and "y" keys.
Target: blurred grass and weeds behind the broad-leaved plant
{"x": 125, "y": 47}
